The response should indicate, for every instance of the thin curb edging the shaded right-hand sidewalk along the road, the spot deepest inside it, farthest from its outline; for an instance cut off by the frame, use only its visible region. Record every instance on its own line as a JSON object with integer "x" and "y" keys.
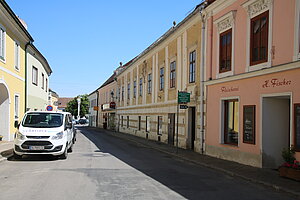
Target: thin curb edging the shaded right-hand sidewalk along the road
{"x": 276, "y": 187}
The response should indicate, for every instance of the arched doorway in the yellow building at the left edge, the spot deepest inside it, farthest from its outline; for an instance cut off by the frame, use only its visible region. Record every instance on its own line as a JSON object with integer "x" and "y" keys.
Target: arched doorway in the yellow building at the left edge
{"x": 4, "y": 111}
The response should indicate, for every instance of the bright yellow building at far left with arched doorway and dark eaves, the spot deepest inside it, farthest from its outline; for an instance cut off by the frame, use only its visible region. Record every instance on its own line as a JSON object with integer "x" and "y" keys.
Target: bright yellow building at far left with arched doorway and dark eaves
{"x": 14, "y": 39}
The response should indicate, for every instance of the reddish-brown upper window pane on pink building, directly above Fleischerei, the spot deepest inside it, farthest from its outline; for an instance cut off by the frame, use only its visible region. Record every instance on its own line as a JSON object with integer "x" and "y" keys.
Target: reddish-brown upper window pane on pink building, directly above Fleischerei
{"x": 225, "y": 51}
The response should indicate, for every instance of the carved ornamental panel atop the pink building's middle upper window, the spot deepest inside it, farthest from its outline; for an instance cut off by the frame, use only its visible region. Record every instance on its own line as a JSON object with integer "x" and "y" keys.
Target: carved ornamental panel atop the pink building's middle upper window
{"x": 257, "y": 7}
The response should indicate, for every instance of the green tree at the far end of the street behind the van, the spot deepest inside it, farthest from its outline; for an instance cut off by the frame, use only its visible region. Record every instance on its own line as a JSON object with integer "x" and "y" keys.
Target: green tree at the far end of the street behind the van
{"x": 72, "y": 106}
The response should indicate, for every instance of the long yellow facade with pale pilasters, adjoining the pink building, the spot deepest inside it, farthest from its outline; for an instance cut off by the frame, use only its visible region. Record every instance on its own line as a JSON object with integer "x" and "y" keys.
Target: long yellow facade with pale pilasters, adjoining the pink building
{"x": 147, "y": 88}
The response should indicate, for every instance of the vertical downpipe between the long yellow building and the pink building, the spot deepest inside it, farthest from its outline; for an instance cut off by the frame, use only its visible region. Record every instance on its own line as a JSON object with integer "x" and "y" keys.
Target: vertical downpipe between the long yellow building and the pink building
{"x": 202, "y": 78}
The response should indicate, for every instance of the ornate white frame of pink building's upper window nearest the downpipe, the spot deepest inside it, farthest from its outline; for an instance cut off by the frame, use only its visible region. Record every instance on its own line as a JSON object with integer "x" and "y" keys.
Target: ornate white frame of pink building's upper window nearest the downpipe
{"x": 223, "y": 24}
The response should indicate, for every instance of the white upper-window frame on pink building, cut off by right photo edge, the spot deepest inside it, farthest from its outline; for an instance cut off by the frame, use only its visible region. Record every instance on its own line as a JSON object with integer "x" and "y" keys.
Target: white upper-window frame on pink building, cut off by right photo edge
{"x": 297, "y": 31}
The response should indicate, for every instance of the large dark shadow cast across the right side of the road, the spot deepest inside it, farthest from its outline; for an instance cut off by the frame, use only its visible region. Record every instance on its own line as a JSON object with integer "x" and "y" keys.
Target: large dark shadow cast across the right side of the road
{"x": 189, "y": 180}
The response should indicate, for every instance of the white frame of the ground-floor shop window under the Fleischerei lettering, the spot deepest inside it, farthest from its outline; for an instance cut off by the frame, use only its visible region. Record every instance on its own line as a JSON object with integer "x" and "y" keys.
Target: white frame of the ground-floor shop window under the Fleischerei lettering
{"x": 222, "y": 119}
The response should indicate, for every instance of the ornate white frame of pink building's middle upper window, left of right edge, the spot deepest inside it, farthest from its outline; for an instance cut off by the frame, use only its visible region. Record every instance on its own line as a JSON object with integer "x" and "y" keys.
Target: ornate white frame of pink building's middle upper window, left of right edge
{"x": 255, "y": 8}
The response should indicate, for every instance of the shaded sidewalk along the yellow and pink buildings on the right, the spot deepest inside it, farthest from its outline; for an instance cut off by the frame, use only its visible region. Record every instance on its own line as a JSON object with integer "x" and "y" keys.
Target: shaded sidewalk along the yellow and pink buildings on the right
{"x": 265, "y": 177}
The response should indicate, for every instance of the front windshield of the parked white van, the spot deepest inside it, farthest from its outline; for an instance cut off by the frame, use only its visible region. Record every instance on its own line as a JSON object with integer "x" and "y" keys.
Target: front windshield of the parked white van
{"x": 43, "y": 120}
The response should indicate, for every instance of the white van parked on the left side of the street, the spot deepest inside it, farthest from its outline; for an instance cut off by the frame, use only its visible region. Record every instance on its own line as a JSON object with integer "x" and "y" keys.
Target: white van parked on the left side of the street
{"x": 44, "y": 132}
